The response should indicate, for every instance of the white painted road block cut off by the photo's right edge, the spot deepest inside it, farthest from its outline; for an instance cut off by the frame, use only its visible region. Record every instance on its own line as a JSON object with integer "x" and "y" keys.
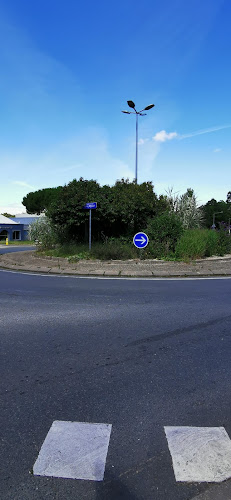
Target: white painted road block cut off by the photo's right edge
{"x": 200, "y": 454}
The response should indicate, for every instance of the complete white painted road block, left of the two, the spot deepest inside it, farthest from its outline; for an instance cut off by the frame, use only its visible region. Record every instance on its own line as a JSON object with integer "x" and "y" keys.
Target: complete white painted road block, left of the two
{"x": 74, "y": 450}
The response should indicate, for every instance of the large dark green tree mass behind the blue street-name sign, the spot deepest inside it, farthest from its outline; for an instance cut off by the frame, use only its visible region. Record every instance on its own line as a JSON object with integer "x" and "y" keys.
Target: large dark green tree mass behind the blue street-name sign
{"x": 121, "y": 209}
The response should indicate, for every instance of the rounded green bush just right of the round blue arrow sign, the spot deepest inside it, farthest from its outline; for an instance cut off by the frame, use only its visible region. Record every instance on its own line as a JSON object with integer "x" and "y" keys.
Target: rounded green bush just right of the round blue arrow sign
{"x": 163, "y": 232}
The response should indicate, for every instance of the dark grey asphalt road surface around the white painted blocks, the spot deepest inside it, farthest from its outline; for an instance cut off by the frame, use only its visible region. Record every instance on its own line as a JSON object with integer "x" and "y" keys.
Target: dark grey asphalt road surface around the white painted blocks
{"x": 137, "y": 354}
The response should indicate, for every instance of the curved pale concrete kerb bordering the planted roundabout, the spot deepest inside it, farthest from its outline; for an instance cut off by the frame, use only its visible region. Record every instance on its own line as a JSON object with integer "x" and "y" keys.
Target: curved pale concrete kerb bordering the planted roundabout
{"x": 28, "y": 261}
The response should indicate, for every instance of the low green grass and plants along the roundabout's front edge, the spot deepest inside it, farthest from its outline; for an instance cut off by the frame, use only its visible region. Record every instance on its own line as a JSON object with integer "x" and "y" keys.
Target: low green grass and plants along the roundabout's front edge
{"x": 193, "y": 244}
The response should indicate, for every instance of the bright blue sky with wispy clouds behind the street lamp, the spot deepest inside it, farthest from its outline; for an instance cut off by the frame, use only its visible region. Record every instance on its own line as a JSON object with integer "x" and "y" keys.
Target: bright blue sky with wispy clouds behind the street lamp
{"x": 67, "y": 70}
